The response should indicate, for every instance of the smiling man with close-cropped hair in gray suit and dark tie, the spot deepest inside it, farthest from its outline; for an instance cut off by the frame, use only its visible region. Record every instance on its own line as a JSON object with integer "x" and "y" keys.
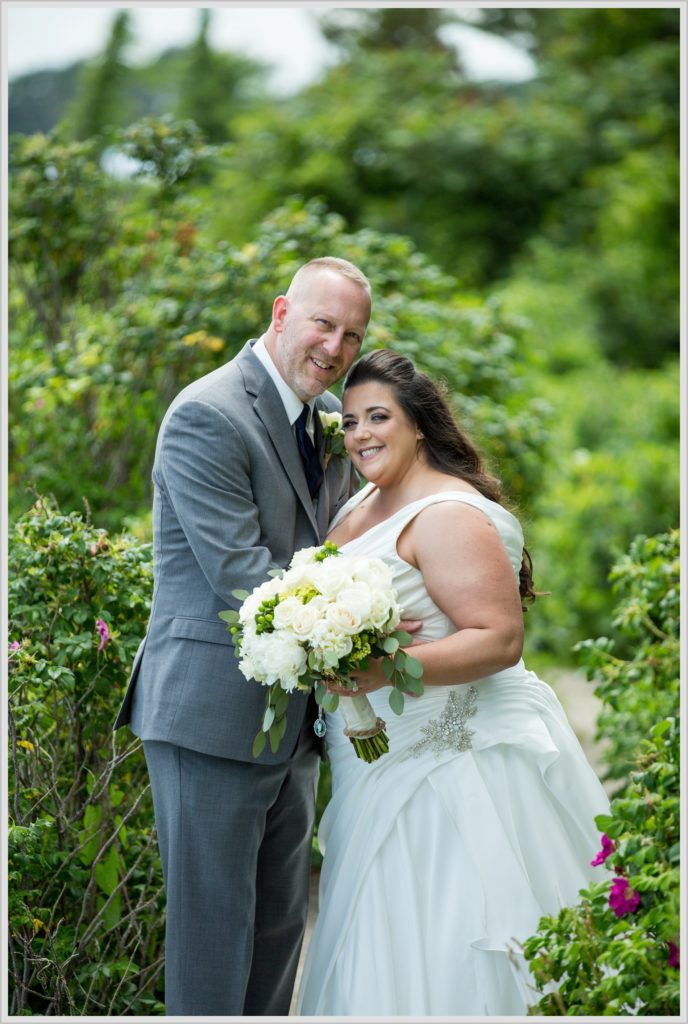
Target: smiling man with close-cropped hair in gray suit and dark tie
{"x": 240, "y": 486}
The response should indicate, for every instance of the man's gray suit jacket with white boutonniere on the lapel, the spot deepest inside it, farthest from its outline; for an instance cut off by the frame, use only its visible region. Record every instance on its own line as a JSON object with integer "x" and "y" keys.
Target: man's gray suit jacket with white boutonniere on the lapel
{"x": 231, "y": 503}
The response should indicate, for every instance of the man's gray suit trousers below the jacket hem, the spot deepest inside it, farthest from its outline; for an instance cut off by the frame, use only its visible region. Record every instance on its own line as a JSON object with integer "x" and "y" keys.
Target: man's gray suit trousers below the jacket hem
{"x": 235, "y": 841}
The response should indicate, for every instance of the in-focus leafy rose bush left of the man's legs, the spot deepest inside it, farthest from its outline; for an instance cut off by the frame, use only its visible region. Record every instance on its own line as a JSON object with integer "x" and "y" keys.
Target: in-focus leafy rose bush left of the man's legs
{"x": 85, "y": 885}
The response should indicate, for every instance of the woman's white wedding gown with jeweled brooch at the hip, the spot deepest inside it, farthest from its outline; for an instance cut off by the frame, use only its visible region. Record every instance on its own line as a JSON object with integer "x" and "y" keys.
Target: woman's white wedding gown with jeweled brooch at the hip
{"x": 442, "y": 857}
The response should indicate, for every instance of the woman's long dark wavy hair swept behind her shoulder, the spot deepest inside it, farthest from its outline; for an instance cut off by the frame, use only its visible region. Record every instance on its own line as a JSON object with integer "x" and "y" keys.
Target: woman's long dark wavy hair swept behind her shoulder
{"x": 446, "y": 446}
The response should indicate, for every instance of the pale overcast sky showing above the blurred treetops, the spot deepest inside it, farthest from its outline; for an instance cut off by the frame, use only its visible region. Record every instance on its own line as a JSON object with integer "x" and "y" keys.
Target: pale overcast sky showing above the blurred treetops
{"x": 42, "y": 36}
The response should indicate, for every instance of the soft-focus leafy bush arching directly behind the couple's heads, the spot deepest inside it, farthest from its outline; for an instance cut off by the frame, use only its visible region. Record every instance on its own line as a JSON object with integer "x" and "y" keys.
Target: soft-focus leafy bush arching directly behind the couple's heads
{"x": 163, "y": 305}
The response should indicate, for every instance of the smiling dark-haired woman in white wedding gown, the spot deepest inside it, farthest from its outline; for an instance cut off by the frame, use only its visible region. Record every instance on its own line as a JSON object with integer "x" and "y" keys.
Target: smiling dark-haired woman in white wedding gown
{"x": 441, "y": 858}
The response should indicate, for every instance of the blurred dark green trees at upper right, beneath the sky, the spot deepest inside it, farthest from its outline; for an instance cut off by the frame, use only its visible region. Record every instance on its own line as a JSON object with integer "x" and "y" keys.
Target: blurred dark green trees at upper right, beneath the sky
{"x": 585, "y": 157}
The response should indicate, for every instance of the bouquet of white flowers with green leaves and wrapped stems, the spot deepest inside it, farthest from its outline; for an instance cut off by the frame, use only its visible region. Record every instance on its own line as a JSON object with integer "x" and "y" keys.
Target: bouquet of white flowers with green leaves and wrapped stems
{"x": 315, "y": 624}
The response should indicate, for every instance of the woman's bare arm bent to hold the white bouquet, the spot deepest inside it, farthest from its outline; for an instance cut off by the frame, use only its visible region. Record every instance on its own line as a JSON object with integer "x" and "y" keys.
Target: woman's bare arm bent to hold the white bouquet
{"x": 468, "y": 575}
